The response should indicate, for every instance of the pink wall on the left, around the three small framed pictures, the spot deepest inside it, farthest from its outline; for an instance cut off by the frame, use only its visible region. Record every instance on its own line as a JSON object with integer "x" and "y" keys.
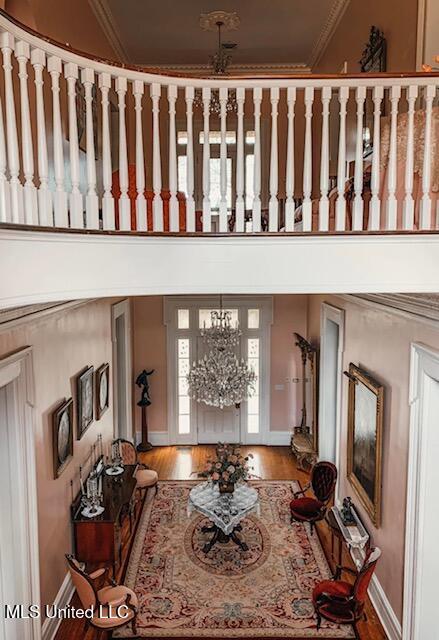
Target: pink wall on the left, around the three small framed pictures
{"x": 63, "y": 344}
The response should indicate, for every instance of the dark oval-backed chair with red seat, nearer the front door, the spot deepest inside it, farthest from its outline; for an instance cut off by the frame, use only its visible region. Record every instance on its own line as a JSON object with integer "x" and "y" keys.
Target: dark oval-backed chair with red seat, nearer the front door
{"x": 307, "y": 509}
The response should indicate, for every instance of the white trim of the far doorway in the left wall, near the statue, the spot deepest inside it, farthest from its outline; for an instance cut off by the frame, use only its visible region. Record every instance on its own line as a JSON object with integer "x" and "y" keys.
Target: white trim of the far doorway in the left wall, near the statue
{"x": 123, "y": 308}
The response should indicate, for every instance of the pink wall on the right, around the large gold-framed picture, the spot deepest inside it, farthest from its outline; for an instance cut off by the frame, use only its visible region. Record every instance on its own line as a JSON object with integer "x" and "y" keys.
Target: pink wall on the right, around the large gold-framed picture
{"x": 380, "y": 343}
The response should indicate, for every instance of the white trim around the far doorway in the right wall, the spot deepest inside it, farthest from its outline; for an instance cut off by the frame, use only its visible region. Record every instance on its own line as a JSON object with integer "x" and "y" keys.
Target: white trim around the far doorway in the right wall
{"x": 336, "y": 315}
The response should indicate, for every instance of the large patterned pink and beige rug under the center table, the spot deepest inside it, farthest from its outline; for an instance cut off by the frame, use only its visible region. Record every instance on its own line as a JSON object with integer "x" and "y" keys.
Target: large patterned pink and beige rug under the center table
{"x": 228, "y": 593}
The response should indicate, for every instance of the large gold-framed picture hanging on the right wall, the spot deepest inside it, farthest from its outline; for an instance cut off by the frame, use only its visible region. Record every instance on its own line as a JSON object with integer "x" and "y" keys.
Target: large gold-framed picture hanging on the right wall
{"x": 365, "y": 426}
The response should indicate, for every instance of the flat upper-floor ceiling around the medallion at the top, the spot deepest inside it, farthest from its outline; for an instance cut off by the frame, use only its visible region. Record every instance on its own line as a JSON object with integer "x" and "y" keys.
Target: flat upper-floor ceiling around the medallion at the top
{"x": 289, "y": 33}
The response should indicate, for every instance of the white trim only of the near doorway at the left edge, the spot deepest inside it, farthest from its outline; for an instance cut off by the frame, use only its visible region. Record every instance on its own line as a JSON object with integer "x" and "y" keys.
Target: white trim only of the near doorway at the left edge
{"x": 17, "y": 369}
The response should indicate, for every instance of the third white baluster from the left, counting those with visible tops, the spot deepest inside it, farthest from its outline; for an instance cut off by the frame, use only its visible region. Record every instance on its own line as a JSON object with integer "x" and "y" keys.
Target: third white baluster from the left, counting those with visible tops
{"x": 45, "y": 211}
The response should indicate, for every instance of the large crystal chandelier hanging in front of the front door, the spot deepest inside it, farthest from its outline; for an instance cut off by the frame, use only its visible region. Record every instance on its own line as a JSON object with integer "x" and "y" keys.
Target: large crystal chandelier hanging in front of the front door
{"x": 219, "y": 379}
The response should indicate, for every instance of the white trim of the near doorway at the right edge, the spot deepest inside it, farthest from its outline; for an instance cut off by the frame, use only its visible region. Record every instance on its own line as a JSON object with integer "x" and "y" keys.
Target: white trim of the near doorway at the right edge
{"x": 424, "y": 361}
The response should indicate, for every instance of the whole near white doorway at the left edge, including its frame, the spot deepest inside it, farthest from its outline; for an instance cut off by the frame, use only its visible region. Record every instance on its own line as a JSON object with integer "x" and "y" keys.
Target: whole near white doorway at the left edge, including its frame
{"x": 19, "y": 559}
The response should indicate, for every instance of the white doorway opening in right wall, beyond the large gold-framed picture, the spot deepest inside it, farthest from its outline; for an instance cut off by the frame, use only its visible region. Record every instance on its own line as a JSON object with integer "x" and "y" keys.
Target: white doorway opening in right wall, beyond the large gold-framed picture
{"x": 331, "y": 370}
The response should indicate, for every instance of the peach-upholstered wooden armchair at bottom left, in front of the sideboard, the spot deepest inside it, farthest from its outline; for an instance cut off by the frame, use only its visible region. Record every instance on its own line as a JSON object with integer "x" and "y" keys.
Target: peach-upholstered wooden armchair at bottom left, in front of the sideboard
{"x": 106, "y": 600}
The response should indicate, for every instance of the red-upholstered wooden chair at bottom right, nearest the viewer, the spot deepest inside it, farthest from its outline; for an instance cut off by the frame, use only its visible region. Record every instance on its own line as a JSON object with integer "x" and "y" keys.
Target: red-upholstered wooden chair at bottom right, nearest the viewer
{"x": 340, "y": 601}
